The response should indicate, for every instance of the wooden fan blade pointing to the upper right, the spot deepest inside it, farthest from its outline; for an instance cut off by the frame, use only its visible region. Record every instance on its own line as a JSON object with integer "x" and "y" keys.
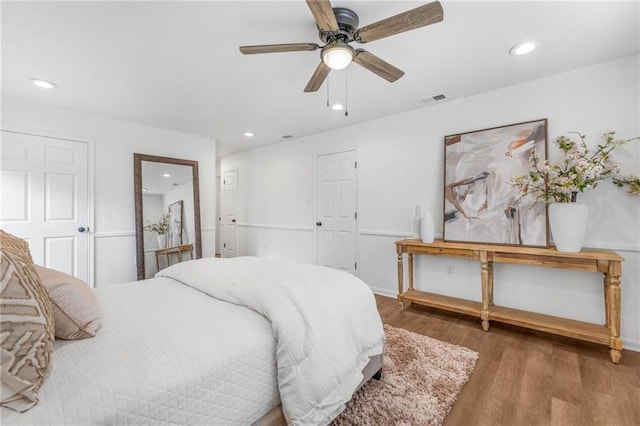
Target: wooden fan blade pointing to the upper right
{"x": 422, "y": 16}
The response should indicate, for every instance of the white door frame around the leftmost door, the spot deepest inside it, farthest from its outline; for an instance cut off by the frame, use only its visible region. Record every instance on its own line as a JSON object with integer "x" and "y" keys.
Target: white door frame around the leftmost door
{"x": 90, "y": 142}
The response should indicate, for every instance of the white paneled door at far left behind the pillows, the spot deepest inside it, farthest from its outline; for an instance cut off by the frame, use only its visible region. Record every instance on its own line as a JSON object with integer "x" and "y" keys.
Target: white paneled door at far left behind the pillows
{"x": 44, "y": 184}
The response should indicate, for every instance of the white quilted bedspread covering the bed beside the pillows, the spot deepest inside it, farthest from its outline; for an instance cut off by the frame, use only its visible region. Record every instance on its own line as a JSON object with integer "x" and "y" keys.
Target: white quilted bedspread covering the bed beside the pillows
{"x": 165, "y": 354}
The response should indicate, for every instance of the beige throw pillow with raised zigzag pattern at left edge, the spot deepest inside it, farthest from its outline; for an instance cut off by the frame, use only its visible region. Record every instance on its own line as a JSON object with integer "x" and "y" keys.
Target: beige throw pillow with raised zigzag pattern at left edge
{"x": 26, "y": 331}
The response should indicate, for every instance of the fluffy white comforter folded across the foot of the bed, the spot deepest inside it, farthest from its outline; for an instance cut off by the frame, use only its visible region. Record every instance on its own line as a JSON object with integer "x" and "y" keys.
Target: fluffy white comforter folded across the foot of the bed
{"x": 325, "y": 323}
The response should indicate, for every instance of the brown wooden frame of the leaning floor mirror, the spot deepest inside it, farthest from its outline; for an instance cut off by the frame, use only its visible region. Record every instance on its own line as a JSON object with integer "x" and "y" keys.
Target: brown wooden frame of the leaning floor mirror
{"x": 137, "y": 184}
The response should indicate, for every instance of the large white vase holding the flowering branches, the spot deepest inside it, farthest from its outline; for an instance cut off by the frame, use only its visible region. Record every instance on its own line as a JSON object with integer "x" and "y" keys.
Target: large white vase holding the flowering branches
{"x": 568, "y": 222}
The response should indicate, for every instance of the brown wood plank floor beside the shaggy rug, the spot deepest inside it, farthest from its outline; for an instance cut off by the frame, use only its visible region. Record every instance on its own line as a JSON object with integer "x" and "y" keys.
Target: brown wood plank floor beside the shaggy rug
{"x": 525, "y": 377}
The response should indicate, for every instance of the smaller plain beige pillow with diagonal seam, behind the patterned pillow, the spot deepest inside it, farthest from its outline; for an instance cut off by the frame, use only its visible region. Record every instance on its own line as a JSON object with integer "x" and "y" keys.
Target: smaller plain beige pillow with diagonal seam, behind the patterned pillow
{"x": 74, "y": 305}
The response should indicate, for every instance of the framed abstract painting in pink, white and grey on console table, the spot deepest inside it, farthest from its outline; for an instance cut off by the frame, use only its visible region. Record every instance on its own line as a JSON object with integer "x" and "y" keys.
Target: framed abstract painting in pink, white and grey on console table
{"x": 480, "y": 202}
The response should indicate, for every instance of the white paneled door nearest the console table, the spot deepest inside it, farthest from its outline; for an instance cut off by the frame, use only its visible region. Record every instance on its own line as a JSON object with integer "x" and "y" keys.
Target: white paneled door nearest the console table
{"x": 336, "y": 214}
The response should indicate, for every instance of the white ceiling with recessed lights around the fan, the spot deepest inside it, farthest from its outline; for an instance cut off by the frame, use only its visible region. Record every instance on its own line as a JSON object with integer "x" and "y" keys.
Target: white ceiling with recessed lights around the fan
{"x": 176, "y": 65}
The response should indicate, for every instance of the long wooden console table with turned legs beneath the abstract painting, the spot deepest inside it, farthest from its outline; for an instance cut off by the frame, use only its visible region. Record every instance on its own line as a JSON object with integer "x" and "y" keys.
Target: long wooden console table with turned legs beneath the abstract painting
{"x": 606, "y": 262}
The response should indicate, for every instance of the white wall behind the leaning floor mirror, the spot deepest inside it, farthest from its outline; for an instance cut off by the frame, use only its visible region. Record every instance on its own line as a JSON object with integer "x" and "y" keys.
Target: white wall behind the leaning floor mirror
{"x": 114, "y": 143}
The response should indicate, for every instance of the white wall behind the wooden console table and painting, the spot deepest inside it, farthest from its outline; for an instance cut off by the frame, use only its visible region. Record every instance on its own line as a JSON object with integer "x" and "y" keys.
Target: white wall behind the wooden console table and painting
{"x": 400, "y": 164}
